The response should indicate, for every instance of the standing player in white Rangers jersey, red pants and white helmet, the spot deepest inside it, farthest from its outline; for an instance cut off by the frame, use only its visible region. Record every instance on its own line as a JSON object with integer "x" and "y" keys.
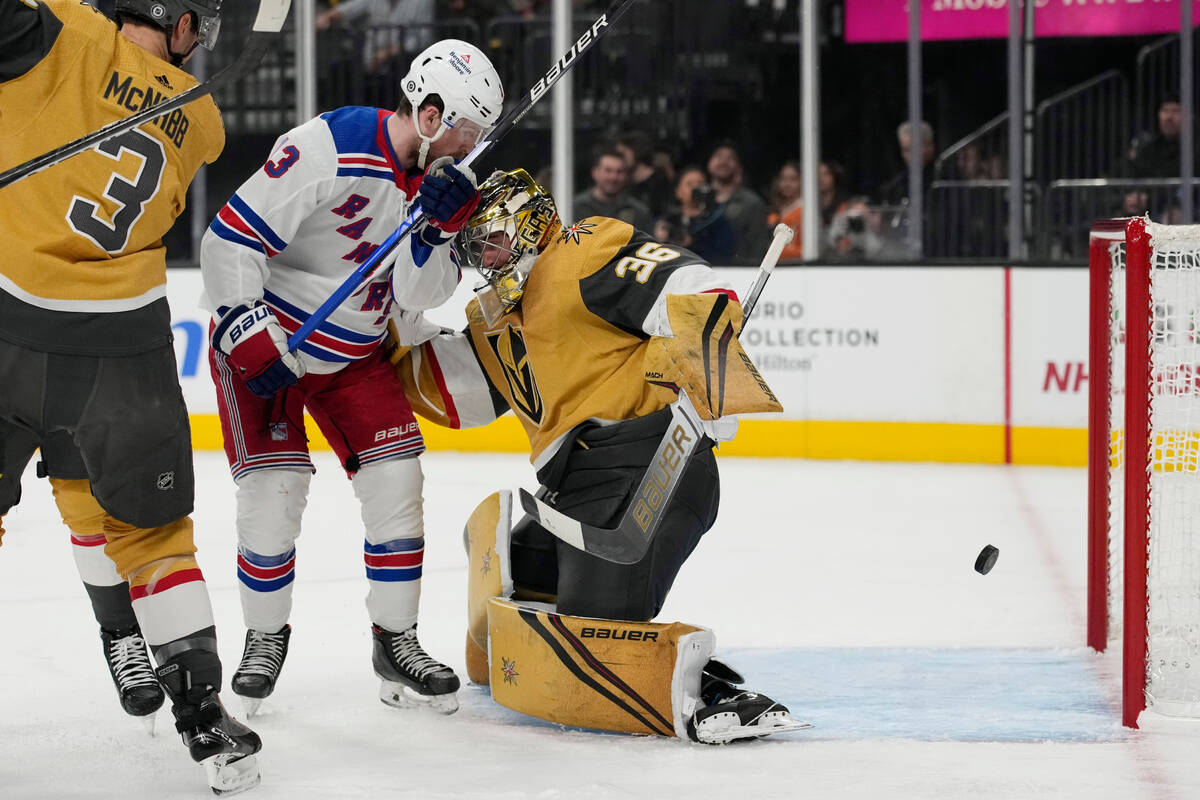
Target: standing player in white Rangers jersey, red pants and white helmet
{"x": 332, "y": 191}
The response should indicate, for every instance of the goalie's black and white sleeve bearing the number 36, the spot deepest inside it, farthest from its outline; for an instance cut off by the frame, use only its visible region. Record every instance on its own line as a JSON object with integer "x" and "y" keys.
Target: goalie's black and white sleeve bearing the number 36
{"x": 631, "y": 291}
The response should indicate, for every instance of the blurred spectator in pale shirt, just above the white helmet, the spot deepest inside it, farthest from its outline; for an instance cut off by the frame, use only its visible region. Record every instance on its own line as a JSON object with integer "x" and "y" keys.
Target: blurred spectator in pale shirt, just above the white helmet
{"x": 393, "y": 28}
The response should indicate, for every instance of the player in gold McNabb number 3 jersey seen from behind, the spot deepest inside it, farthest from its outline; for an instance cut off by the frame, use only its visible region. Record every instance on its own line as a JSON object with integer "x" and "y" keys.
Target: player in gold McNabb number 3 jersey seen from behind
{"x": 87, "y": 365}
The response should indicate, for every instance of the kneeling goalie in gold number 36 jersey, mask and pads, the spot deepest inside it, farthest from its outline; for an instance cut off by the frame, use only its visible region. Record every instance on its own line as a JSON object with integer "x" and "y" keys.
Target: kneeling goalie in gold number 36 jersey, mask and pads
{"x": 587, "y": 334}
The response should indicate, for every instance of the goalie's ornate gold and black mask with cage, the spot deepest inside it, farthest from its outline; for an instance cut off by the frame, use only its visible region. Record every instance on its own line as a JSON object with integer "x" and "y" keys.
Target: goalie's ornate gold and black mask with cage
{"x": 513, "y": 225}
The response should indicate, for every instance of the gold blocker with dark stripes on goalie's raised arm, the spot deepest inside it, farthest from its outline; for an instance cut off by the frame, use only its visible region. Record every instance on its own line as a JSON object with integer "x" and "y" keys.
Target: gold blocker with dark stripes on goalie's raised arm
{"x": 705, "y": 358}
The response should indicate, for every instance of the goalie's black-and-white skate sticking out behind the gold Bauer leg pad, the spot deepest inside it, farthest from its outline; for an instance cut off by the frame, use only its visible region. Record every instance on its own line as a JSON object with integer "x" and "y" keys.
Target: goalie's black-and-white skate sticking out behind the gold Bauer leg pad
{"x": 730, "y": 713}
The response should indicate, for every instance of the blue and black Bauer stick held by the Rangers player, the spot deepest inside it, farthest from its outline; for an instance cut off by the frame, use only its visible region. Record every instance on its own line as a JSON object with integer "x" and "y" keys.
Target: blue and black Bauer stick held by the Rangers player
{"x": 508, "y": 122}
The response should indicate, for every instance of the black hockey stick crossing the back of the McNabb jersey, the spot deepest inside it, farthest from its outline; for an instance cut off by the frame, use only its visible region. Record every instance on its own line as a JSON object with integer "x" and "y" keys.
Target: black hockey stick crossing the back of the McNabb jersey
{"x": 272, "y": 16}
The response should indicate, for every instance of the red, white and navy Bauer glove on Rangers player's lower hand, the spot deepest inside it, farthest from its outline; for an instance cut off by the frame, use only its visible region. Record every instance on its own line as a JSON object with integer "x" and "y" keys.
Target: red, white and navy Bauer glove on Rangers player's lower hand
{"x": 257, "y": 348}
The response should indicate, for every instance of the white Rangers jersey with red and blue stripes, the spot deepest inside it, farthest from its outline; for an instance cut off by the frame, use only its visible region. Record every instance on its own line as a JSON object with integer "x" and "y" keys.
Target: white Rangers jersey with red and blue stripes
{"x": 332, "y": 193}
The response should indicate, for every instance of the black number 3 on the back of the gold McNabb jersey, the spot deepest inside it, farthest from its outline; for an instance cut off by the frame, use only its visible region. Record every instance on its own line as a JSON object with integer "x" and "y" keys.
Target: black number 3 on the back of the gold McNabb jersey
{"x": 131, "y": 199}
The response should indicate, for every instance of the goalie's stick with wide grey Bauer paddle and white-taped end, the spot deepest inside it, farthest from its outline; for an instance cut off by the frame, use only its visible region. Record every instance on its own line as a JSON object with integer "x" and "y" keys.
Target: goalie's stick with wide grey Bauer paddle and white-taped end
{"x": 628, "y": 543}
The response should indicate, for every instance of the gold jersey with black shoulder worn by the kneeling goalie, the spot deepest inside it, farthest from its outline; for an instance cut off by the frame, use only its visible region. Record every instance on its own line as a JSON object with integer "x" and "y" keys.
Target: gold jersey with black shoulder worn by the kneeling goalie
{"x": 575, "y": 347}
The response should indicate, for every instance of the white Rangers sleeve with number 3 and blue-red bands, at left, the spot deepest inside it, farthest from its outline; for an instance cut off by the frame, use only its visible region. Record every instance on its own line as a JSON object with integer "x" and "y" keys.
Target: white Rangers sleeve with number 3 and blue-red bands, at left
{"x": 265, "y": 214}
